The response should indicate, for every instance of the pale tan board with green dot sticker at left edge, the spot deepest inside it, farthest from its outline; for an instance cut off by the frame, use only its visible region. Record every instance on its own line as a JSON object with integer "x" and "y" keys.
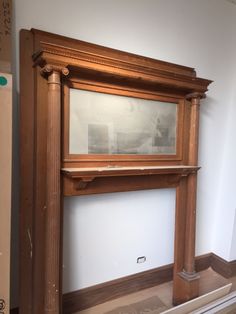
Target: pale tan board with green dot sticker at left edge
{"x": 5, "y": 187}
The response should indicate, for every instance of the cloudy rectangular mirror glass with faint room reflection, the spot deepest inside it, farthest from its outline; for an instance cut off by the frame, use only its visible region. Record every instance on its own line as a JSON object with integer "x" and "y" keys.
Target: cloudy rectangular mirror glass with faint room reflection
{"x": 102, "y": 123}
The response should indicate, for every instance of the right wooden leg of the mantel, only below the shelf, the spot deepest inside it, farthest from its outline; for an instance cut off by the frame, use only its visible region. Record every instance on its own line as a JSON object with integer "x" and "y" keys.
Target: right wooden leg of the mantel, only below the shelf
{"x": 186, "y": 280}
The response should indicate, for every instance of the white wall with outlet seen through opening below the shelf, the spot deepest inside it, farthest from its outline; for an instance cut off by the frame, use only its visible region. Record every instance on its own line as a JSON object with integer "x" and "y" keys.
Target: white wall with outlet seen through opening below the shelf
{"x": 112, "y": 230}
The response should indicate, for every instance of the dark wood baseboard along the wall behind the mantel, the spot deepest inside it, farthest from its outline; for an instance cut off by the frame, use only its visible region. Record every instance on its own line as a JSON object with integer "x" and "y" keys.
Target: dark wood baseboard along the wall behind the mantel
{"x": 88, "y": 297}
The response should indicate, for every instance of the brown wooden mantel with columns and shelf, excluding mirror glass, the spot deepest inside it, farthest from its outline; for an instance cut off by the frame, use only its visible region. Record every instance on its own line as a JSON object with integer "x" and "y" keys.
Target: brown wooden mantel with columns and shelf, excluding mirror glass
{"x": 50, "y": 64}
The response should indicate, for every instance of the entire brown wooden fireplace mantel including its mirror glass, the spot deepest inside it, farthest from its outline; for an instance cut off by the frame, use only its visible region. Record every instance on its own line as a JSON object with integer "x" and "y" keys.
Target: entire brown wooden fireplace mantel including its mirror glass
{"x": 97, "y": 120}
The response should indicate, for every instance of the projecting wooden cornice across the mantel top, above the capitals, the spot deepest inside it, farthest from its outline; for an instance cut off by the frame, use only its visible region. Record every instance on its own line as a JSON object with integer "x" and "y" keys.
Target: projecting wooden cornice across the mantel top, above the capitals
{"x": 135, "y": 68}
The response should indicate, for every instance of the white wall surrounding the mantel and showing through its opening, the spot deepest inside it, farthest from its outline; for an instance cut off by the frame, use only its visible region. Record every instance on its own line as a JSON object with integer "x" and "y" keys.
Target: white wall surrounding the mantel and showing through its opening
{"x": 196, "y": 33}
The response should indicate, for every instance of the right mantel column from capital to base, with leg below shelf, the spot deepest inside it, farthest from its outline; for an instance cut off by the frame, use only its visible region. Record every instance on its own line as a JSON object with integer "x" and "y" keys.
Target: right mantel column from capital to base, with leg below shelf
{"x": 186, "y": 280}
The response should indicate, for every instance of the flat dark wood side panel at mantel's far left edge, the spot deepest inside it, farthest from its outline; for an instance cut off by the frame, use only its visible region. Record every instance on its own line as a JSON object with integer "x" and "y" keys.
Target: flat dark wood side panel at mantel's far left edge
{"x": 27, "y": 171}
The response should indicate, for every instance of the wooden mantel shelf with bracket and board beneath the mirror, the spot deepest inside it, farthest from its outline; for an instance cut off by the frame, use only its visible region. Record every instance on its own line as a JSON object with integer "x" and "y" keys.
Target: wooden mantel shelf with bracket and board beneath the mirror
{"x": 81, "y": 181}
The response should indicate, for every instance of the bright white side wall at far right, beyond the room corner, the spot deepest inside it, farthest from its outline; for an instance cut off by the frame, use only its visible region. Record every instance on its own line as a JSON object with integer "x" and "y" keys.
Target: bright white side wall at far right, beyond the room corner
{"x": 224, "y": 228}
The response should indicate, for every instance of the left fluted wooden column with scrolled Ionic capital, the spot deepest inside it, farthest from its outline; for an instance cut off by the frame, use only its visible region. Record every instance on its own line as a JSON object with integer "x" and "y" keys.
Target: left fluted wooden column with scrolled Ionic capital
{"x": 53, "y": 190}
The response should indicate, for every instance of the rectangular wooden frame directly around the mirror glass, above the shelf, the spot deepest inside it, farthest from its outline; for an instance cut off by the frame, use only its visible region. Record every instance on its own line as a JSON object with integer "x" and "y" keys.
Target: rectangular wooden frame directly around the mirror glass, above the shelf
{"x": 117, "y": 159}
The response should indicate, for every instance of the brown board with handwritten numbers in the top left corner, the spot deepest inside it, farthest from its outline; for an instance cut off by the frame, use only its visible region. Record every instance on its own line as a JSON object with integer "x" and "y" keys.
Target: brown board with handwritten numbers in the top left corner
{"x": 5, "y": 35}
